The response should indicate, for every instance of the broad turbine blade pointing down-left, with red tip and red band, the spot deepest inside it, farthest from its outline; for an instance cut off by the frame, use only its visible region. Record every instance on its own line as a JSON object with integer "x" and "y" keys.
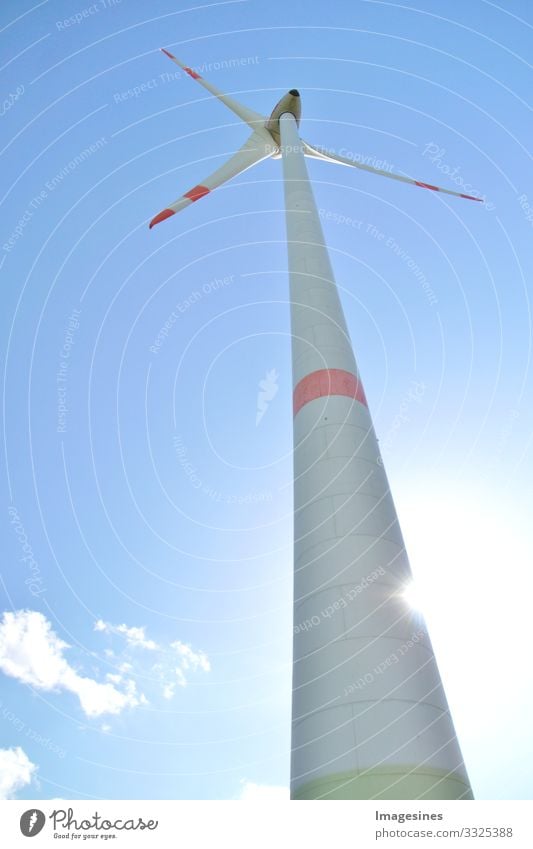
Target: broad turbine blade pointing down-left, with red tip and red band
{"x": 258, "y": 146}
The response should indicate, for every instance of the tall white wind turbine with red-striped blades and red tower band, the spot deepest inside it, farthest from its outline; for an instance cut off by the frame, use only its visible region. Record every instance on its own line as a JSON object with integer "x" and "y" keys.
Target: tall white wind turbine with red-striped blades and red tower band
{"x": 370, "y": 718}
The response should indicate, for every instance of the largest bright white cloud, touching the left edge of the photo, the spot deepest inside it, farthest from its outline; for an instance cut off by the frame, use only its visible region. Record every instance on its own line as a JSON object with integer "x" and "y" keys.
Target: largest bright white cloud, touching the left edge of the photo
{"x": 32, "y": 653}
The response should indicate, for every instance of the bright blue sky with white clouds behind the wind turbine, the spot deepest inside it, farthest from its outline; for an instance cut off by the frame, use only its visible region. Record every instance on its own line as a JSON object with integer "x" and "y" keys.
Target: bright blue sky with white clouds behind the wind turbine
{"x": 146, "y": 522}
